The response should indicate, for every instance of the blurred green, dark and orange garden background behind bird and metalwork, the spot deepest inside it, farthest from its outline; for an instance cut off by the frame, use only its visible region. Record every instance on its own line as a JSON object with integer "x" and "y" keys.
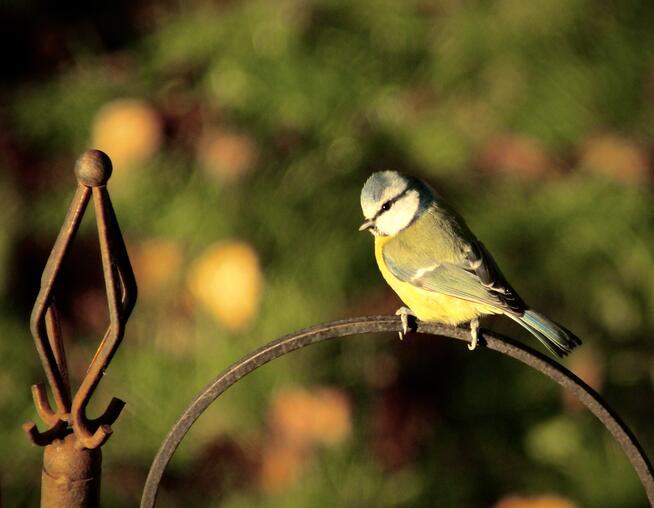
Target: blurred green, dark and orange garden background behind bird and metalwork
{"x": 241, "y": 133}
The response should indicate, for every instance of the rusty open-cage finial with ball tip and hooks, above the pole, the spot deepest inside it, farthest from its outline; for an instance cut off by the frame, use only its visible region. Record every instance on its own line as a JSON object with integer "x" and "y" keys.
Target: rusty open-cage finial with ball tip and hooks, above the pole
{"x": 93, "y": 169}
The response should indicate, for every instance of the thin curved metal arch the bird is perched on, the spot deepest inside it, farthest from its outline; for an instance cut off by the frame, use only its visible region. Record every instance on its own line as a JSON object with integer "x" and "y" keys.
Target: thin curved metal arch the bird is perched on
{"x": 375, "y": 324}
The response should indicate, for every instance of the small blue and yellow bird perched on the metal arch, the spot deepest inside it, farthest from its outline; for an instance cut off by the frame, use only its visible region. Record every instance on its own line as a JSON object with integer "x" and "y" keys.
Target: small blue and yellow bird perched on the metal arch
{"x": 436, "y": 265}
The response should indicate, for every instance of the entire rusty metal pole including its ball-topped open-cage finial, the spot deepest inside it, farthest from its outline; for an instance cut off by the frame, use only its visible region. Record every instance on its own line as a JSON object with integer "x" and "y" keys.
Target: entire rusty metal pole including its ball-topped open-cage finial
{"x": 72, "y": 459}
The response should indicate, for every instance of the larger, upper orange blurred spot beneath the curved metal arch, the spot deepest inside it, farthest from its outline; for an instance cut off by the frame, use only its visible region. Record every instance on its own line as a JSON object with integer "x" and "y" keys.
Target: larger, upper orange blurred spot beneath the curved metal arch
{"x": 320, "y": 416}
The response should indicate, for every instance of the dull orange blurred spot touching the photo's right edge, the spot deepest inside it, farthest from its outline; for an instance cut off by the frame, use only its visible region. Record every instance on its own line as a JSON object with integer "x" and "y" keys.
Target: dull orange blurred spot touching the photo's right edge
{"x": 615, "y": 156}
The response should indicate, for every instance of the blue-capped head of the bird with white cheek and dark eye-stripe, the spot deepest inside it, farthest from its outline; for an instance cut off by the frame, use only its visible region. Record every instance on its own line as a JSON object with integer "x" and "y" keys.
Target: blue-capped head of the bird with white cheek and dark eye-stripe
{"x": 391, "y": 202}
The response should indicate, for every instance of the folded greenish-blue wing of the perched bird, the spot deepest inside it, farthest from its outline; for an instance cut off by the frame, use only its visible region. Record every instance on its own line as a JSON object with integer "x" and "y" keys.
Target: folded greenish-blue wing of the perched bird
{"x": 474, "y": 276}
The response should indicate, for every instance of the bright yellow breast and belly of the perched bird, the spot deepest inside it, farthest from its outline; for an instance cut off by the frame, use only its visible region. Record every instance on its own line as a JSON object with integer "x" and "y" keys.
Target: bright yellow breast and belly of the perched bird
{"x": 428, "y": 305}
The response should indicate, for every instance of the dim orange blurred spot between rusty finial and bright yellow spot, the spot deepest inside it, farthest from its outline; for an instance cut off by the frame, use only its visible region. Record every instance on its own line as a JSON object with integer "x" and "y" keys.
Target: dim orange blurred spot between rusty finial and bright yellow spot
{"x": 156, "y": 263}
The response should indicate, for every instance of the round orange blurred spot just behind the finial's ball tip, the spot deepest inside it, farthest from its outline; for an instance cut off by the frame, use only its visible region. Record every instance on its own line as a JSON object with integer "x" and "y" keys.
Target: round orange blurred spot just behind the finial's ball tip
{"x": 128, "y": 130}
